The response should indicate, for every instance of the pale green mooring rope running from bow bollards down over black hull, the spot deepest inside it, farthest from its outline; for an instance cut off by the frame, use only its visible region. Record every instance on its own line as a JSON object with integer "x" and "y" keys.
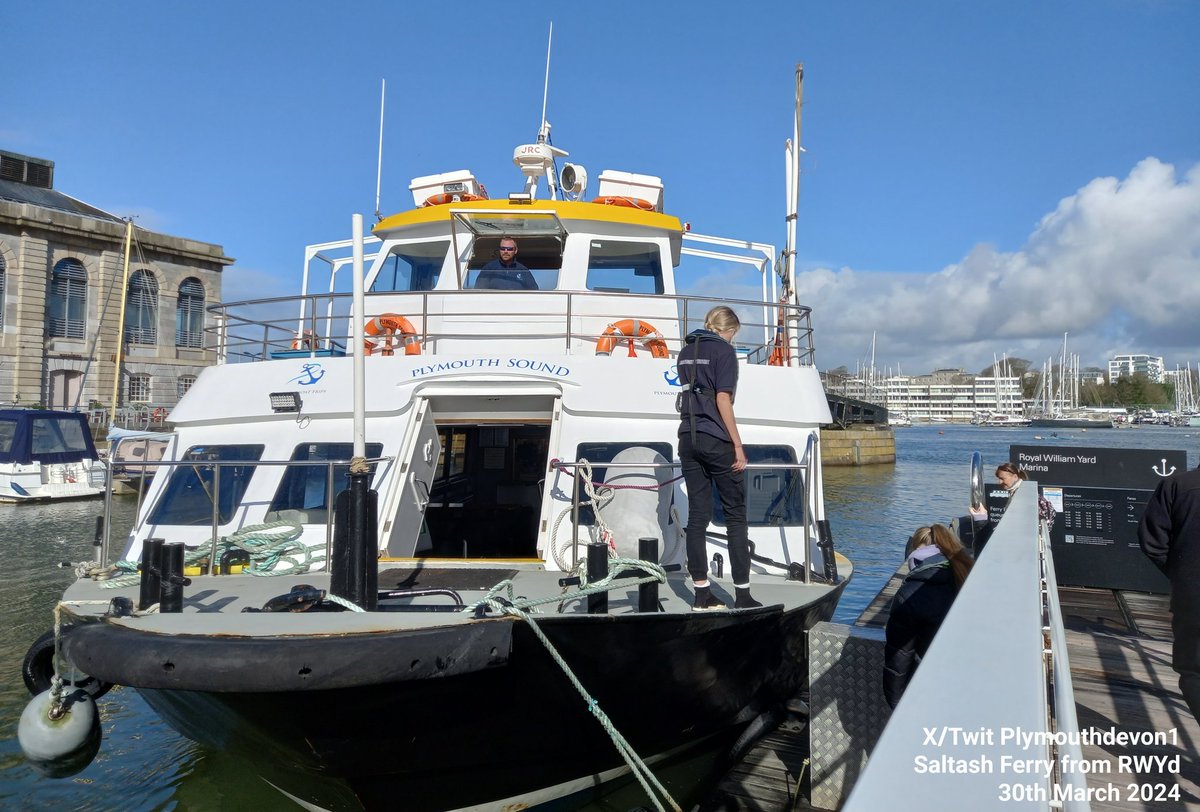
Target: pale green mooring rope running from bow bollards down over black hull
{"x": 518, "y": 608}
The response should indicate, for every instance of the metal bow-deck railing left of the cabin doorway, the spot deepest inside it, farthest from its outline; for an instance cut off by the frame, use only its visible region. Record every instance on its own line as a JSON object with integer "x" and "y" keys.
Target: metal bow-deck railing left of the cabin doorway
{"x": 217, "y": 466}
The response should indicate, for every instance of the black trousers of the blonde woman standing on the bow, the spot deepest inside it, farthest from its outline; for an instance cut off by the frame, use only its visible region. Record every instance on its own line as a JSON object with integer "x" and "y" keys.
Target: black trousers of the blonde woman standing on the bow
{"x": 706, "y": 465}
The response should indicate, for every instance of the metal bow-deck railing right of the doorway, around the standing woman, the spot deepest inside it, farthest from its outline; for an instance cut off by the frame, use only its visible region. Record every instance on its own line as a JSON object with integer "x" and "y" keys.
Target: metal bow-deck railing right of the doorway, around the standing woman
{"x": 806, "y": 470}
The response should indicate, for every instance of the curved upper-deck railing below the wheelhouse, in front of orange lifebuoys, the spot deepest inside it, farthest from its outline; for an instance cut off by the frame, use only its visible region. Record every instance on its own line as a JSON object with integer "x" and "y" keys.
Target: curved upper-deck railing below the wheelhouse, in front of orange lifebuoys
{"x": 466, "y": 321}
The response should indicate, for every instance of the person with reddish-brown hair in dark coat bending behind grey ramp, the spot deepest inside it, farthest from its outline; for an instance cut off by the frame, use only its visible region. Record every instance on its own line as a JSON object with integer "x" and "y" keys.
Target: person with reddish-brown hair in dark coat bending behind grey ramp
{"x": 938, "y": 567}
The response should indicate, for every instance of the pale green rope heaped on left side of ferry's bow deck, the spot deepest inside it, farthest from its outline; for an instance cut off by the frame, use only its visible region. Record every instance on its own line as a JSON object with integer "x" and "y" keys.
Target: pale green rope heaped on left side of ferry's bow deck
{"x": 274, "y": 550}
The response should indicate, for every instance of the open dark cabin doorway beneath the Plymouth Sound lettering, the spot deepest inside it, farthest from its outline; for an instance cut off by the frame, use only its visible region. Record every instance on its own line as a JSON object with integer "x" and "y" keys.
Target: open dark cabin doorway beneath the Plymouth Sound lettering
{"x": 488, "y": 491}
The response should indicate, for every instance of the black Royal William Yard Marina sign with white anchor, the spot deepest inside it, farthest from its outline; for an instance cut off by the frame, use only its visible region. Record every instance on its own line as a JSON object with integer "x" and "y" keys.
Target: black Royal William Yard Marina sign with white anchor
{"x": 1100, "y": 496}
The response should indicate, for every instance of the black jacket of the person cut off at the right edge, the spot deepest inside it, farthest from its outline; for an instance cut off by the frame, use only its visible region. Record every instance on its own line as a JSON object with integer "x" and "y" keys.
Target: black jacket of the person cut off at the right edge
{"x": 1169, "y": 534}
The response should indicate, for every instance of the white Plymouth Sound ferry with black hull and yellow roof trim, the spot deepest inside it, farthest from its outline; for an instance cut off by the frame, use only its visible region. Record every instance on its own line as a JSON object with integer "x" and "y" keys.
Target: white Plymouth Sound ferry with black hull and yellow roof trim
{"x": 494, "y": 615}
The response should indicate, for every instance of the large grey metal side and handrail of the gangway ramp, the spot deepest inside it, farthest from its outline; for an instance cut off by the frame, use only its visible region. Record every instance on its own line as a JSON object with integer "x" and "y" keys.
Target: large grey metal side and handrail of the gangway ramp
{"x": 989, "y": 718}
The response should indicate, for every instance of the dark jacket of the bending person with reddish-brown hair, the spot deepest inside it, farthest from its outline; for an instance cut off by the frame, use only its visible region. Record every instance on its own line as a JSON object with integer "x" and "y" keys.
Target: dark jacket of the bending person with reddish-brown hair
{"x": 919, "y": 610}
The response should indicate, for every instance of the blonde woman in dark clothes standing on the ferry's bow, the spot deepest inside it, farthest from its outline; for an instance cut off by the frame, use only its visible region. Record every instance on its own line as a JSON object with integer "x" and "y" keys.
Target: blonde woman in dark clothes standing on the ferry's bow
{"x": 711, "y": 453}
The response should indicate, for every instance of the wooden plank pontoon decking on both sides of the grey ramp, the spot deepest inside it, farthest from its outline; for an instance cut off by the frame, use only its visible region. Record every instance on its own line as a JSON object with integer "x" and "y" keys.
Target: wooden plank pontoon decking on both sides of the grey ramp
{"x": 1120, "y": 649}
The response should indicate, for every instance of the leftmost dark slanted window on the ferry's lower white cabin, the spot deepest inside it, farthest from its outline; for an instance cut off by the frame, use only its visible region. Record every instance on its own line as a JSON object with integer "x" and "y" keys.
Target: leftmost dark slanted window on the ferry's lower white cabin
{"x": 193, "y": 489}
